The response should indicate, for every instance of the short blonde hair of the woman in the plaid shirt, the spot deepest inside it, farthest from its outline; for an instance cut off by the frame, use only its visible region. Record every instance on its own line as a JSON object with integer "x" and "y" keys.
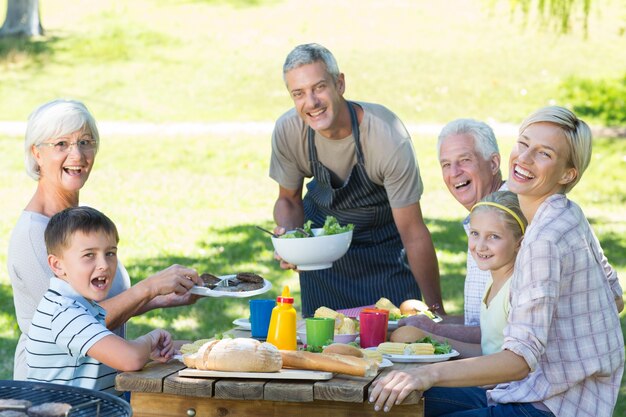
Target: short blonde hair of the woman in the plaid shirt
{"x": 576, "y": 132}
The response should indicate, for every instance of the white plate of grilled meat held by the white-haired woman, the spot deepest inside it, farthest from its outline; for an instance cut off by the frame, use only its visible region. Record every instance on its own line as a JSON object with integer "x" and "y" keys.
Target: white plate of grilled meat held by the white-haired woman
{"x": 241, "y": 285}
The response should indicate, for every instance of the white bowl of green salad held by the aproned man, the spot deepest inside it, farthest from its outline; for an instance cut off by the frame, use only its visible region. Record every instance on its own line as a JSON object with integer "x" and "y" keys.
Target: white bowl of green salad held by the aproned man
{"x": 319, "y": 250}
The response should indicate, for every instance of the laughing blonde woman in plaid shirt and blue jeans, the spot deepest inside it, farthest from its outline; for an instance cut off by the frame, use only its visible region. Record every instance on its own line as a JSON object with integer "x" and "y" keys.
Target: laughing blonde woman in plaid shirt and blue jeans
{"x": 563, "y": 345}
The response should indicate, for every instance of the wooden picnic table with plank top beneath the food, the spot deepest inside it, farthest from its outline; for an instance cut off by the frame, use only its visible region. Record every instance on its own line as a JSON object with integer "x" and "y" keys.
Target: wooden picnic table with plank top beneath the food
{"x": 157, "y": 390}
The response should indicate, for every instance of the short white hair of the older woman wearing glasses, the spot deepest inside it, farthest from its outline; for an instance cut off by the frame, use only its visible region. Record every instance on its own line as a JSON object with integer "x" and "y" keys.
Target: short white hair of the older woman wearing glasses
{"x": 52, "y": 120}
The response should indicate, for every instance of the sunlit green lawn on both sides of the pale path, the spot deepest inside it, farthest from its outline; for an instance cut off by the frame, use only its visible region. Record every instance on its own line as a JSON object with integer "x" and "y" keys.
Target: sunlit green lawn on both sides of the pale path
{"x": 194, "y": 199}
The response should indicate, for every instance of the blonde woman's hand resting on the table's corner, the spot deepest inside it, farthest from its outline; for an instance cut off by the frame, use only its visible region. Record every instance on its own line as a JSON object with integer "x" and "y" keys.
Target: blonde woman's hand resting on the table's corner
{"x": 396, "y": 386}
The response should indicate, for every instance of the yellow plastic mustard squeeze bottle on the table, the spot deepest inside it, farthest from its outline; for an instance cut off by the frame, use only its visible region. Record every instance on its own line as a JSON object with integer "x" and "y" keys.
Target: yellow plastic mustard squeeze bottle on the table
{"x": 282, "y": 331}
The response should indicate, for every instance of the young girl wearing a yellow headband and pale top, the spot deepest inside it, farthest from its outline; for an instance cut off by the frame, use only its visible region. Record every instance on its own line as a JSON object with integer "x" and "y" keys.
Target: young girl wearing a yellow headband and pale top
{"x": 497, "y": 226}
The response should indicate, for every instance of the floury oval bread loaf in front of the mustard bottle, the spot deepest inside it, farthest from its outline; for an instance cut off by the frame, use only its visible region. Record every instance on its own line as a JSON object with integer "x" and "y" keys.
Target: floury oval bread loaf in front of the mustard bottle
{"x": 236, "y": 355}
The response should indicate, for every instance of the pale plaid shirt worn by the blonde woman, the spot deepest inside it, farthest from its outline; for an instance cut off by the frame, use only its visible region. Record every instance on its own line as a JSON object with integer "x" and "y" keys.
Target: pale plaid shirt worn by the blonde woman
{"x": 563, "y": 318}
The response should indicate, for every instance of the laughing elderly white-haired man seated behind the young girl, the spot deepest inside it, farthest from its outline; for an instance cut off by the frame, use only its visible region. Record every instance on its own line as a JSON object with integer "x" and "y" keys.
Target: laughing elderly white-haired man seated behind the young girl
{"x": 470, "y": 165}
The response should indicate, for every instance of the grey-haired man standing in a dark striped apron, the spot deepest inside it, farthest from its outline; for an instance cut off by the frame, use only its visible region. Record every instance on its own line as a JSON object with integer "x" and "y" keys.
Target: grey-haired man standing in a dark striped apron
{"x": 364, "y": 172}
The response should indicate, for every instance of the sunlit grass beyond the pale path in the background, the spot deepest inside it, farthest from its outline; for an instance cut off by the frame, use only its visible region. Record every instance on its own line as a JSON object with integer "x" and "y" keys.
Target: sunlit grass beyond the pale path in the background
{"x": 432, "y": 61}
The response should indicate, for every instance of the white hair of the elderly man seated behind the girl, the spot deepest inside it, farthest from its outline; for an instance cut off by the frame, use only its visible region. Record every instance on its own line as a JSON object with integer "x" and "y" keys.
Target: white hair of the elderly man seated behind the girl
{"x": 485, "y": 142}
